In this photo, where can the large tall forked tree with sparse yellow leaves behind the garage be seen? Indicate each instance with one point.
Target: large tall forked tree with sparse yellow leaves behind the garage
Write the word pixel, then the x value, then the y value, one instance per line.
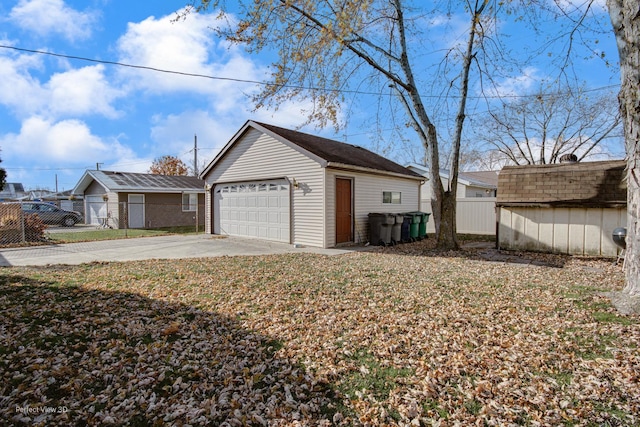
pixel 324 44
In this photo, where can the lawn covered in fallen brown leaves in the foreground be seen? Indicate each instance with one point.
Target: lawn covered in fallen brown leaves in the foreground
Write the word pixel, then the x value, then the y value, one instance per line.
pixel 395 336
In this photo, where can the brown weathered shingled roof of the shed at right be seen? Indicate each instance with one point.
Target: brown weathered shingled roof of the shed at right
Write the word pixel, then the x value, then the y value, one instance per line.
pixel 588 184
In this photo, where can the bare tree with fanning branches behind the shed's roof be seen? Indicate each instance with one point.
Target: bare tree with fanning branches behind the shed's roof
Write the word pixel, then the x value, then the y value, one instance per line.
pixel 541 128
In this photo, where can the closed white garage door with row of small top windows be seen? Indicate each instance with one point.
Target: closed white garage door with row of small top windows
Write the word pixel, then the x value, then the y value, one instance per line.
pixel 253 209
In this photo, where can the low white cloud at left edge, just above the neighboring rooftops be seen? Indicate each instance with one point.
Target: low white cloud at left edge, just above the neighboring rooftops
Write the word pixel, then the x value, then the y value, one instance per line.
pixel 43 142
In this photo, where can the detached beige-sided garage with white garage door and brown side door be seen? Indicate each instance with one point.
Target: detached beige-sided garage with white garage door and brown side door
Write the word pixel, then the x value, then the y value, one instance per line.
pixel 278 184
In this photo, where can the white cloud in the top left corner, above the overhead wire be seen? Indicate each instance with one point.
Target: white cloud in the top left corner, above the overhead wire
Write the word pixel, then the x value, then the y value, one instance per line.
pixel 46 17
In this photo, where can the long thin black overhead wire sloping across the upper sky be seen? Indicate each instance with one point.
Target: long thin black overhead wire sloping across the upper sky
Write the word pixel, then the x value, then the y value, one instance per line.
pixel 261 83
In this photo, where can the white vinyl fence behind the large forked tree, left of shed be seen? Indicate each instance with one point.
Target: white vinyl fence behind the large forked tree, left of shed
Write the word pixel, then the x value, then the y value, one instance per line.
pixel 474 215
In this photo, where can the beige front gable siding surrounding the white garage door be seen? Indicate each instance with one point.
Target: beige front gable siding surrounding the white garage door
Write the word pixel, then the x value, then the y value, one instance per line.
pixel 257 156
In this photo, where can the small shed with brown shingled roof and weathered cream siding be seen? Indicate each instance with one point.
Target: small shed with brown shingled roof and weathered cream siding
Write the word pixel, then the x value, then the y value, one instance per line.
pixel 569 208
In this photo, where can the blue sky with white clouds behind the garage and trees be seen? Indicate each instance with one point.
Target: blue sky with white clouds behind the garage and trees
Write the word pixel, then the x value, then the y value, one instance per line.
pixel 61 116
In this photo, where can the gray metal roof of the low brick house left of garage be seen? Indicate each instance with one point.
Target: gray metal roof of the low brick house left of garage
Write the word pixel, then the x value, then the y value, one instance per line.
pixel 139 182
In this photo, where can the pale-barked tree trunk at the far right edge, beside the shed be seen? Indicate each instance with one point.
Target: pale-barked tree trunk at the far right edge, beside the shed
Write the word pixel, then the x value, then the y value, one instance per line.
pixel 625 17
